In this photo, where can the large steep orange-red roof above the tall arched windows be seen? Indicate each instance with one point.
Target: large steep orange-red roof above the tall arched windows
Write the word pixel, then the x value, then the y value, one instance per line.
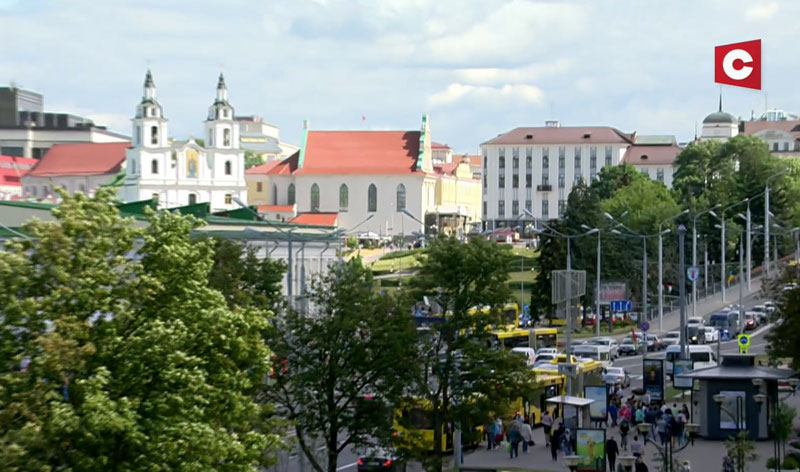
pixel 360 152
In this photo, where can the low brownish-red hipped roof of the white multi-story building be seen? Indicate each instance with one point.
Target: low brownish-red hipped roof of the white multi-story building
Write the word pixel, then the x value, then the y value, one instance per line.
pixel 563 135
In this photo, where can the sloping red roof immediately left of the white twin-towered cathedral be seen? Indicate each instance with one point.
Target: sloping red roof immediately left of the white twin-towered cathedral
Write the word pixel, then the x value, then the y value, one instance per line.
pixel 81 159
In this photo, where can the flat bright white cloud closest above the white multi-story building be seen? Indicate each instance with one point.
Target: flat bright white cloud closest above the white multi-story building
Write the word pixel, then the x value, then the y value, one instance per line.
pixel 520 94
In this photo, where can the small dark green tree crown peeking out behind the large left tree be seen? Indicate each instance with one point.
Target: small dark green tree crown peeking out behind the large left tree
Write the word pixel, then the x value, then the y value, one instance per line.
pixel 244 279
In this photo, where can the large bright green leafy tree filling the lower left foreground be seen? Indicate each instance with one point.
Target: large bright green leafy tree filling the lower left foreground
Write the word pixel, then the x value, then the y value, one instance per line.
pixel 118 356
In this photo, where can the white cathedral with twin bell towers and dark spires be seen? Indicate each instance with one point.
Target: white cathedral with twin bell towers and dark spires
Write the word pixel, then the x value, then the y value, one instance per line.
pixel 178 173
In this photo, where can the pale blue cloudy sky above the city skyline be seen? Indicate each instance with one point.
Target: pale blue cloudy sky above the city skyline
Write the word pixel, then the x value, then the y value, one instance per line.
pixel 479 68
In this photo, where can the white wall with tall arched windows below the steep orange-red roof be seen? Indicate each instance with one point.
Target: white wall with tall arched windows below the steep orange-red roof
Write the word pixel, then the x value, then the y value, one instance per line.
pixel 420 199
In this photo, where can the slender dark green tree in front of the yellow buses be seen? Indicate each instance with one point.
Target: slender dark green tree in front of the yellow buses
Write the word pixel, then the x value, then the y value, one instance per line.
pixel 463 378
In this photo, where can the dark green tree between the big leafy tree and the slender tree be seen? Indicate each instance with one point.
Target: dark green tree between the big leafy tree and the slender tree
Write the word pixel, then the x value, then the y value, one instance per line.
pixel 353 343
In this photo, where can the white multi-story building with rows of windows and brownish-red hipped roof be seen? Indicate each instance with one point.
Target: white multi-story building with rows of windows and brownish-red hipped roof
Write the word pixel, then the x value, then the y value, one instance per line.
pixel 534 169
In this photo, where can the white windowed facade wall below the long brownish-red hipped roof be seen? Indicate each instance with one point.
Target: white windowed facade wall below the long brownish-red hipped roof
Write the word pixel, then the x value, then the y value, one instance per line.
pixel 540 199
